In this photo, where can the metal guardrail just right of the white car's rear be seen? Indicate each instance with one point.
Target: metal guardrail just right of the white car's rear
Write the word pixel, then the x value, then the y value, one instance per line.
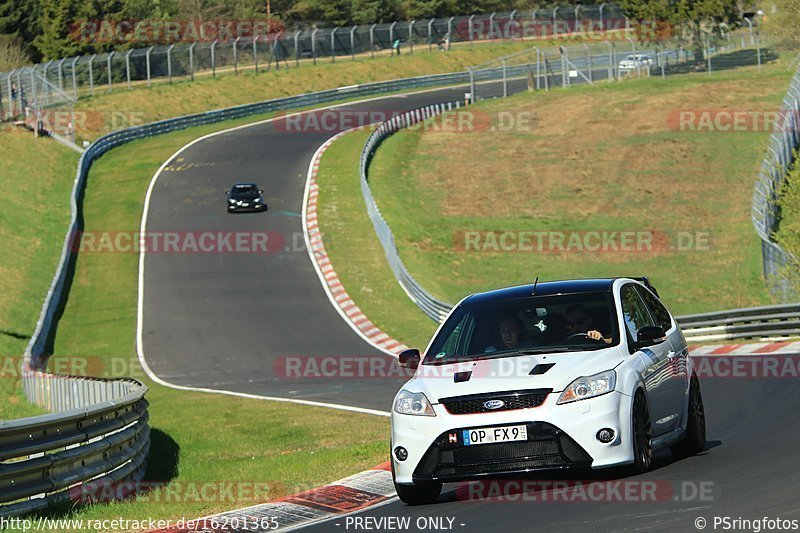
pixel 769 322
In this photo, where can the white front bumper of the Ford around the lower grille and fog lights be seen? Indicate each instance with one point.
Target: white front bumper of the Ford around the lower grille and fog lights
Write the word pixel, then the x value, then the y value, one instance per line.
pixel 560 437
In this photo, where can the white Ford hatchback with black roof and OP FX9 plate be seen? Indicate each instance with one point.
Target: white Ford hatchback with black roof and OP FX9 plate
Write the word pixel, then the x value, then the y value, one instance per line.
pixel 561 375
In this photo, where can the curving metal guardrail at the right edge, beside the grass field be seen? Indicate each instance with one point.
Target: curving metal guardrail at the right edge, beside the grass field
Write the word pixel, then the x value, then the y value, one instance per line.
pixel 778 160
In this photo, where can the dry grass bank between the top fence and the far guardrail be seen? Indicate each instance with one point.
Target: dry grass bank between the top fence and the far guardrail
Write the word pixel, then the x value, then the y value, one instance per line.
pixel 144 104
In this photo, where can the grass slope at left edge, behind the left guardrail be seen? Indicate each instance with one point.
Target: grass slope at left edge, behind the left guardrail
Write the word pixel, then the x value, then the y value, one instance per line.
pixel 36 182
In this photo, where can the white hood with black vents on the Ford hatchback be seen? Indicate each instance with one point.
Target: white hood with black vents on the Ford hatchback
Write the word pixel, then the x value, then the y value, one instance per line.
pixel 511 373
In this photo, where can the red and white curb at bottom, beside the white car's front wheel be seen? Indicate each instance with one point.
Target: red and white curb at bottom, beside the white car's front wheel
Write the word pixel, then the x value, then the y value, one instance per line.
pixel 339 498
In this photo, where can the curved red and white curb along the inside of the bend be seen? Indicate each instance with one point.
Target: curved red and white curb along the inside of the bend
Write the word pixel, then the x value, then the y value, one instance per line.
pixel 337 294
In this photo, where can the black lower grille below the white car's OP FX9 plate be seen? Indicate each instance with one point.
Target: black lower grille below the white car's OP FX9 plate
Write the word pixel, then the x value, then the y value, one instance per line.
pixel 547 447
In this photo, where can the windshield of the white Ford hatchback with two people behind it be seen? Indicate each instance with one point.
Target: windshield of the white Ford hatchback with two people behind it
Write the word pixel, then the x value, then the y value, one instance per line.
pixel 536 324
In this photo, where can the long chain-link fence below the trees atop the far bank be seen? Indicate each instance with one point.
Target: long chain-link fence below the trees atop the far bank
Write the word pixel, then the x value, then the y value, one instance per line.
pixel 87 75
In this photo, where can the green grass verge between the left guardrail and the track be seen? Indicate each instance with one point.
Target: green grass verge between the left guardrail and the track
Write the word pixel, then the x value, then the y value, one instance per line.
pixel 199 440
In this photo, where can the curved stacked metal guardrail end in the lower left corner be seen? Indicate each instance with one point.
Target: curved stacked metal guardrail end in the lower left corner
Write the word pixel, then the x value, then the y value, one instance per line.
pixel 98 436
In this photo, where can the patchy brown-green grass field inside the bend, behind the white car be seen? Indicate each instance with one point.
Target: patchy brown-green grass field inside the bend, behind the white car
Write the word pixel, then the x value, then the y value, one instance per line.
pixel 603 158
